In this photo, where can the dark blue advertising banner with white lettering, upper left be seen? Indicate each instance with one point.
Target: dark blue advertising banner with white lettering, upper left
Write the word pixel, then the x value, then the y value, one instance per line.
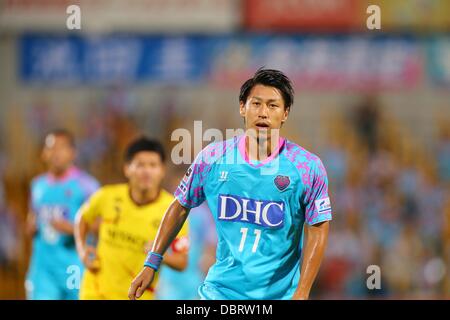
pixel 110 59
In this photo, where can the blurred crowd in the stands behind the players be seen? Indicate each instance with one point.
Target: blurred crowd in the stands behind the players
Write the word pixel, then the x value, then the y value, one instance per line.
pixel 390 195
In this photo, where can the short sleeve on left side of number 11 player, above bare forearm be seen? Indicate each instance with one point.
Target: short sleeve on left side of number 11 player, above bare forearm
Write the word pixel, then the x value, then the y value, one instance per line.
pixel 190 192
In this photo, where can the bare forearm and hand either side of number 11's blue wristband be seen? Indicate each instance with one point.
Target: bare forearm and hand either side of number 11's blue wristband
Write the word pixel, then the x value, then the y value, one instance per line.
pixel 169 228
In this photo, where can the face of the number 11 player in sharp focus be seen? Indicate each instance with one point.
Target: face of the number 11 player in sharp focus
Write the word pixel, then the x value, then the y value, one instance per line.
pixel 264 110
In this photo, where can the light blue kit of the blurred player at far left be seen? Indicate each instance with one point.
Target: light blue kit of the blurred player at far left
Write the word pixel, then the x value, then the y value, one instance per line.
pixel 54 257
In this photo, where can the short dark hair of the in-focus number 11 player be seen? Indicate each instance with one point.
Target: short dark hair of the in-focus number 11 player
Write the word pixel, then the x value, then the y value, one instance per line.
pixel 271 78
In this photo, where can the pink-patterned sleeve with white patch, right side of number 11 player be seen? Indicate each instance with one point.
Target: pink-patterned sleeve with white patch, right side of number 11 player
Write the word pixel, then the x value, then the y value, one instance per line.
pixel 317 200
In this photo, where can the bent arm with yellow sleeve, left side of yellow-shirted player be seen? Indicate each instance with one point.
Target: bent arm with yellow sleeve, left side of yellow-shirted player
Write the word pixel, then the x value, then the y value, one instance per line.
pixel 84 222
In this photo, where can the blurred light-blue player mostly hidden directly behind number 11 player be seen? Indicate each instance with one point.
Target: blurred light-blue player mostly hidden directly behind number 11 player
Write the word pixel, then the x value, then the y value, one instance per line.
pixel 202 254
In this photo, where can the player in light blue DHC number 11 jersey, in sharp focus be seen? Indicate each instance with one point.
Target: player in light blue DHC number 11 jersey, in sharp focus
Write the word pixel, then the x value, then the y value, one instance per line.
pixel 269 199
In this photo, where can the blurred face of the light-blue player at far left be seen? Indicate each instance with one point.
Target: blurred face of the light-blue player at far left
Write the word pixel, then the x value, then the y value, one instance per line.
pixel 58 153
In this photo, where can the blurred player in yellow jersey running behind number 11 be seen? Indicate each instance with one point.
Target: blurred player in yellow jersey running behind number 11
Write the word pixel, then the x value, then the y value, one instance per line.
pixel 128 216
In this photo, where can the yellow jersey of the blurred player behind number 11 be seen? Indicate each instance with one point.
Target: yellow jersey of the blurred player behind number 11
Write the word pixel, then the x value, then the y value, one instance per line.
pixel 125 232
